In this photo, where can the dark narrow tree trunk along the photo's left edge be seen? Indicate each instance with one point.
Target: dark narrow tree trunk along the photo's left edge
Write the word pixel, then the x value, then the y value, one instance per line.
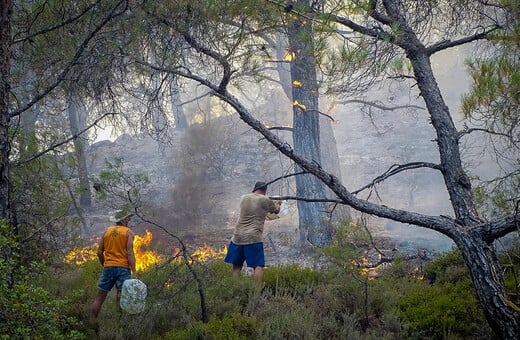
pixel 6 10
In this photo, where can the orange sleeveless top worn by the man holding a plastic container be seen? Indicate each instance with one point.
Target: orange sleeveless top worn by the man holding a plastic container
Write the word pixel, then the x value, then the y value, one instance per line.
pixel 114 246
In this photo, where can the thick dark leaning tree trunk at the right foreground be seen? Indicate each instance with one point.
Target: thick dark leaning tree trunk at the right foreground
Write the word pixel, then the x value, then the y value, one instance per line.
pixel 479 255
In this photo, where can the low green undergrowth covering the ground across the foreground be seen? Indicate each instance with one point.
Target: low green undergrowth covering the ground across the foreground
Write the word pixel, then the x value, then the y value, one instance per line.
pixel 203 301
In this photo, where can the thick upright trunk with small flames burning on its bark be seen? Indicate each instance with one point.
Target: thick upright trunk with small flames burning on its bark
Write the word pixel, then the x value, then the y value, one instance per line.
pixel 313 222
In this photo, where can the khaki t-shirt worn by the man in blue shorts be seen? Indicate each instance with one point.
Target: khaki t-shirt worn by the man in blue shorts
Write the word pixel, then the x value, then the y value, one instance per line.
pixel 250 225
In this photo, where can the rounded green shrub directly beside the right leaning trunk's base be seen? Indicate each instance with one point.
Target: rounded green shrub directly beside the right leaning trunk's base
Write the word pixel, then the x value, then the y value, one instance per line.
pixel 446 309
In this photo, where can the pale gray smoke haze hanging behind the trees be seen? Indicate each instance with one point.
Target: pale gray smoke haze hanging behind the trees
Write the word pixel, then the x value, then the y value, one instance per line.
pixel 369 142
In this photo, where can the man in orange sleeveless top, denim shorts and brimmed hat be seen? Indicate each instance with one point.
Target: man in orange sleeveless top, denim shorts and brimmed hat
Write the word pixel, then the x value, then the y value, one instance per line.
pixel 116 255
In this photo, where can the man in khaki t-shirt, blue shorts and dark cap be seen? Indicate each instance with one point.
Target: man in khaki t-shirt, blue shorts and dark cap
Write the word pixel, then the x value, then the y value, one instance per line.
pixel 246 243
